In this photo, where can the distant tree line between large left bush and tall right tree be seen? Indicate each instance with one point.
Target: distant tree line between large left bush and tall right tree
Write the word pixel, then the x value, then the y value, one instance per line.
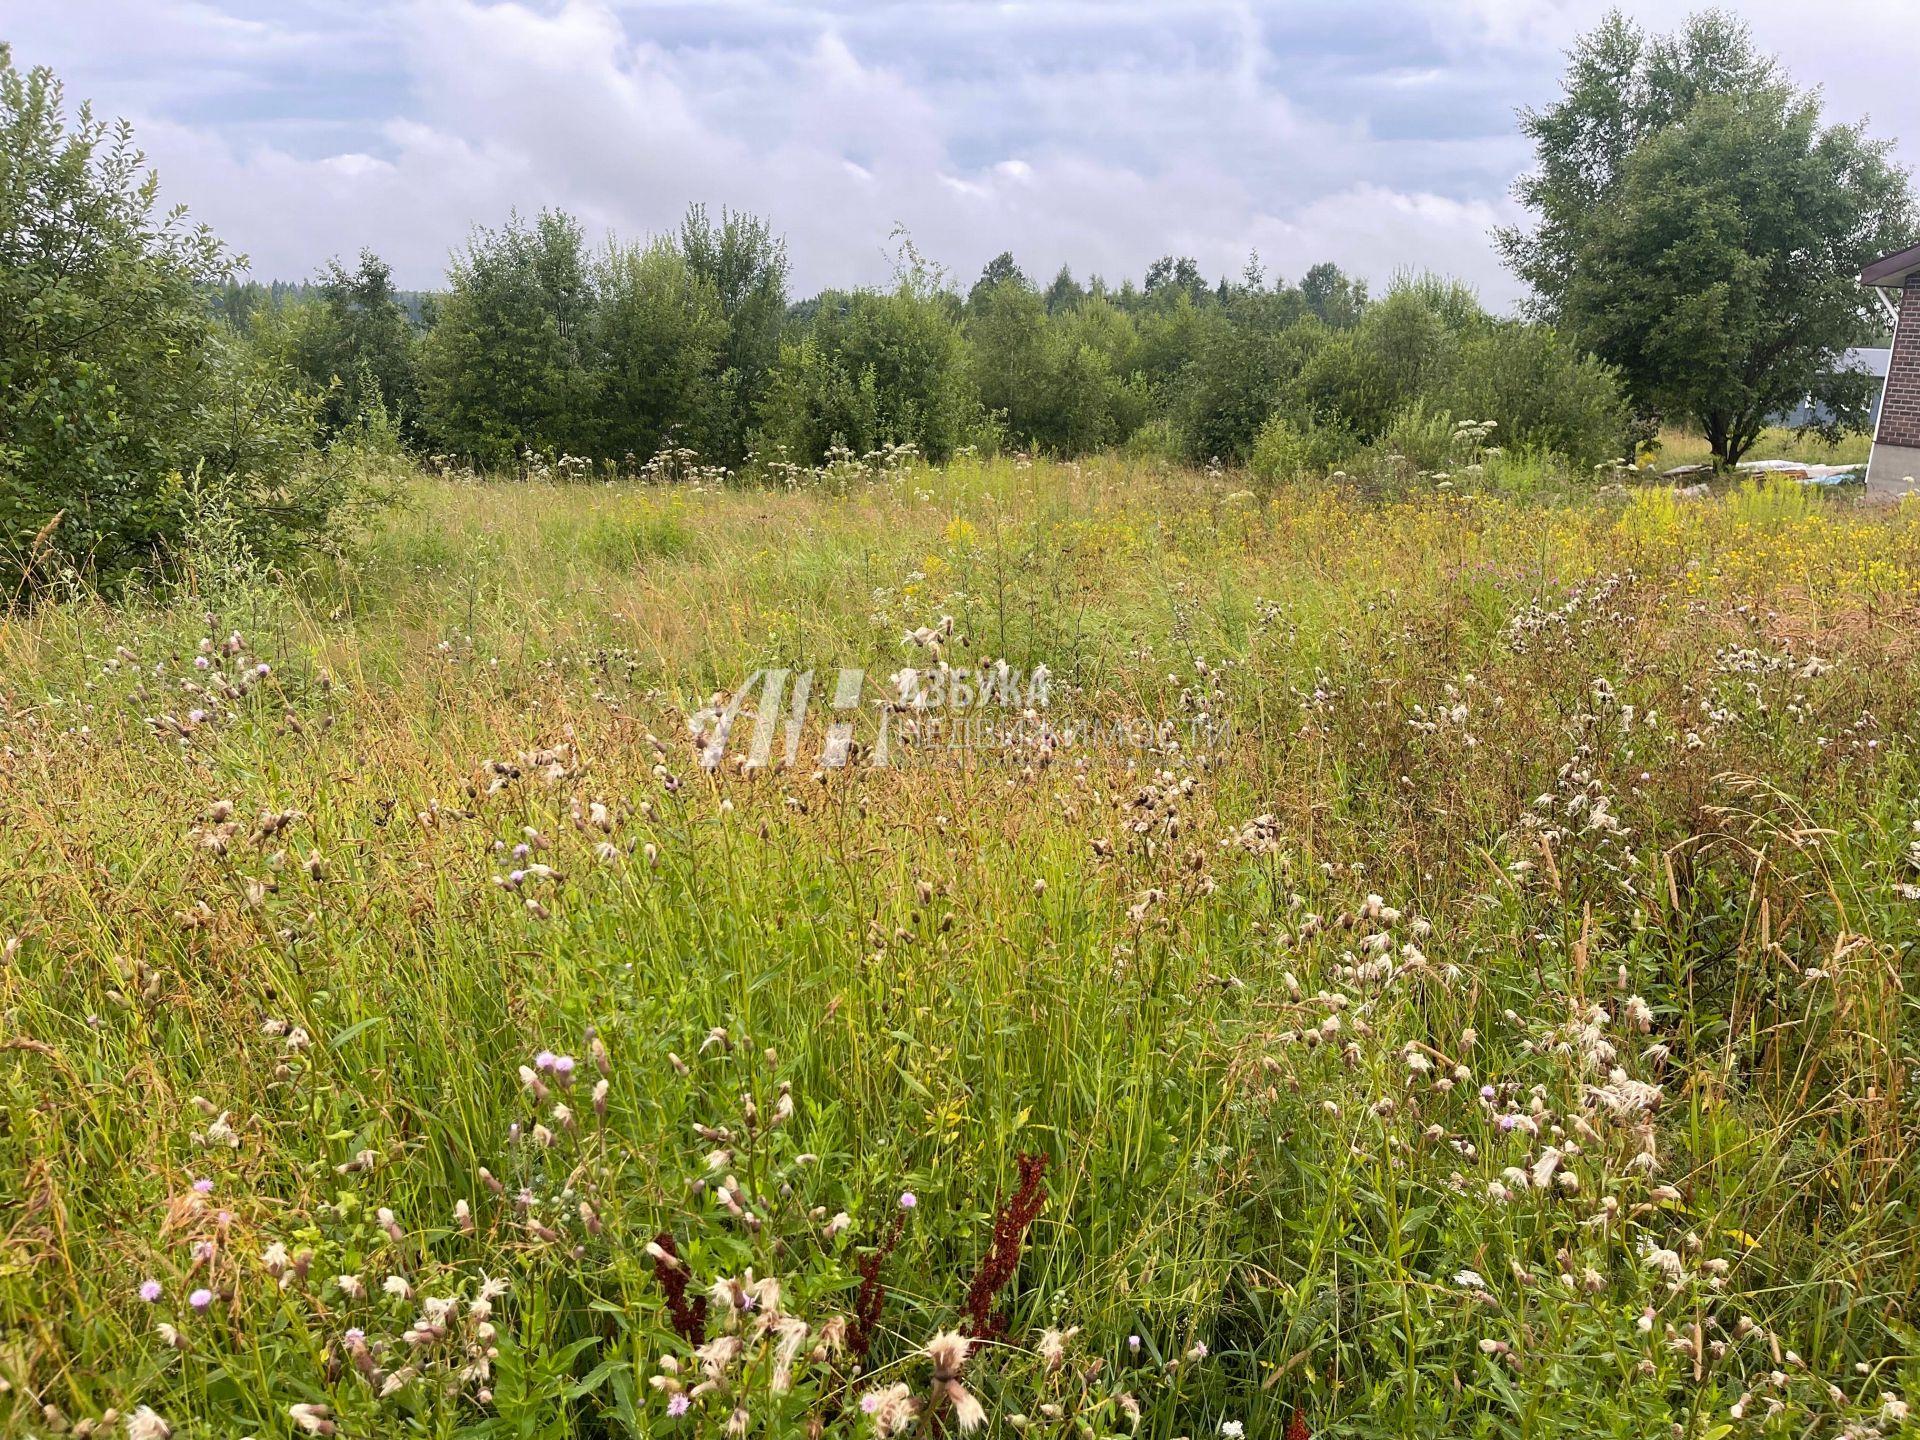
pixel 544 345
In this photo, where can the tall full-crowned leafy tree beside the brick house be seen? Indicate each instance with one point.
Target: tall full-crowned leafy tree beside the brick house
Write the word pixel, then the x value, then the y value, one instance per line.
pixel 1700 228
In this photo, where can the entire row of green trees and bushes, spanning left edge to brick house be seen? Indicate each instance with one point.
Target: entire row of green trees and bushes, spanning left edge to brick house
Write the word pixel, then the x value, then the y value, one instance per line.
pixel 1692 254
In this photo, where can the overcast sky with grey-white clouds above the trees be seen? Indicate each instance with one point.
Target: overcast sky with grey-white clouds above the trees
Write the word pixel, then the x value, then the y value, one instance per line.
pixel 1101 133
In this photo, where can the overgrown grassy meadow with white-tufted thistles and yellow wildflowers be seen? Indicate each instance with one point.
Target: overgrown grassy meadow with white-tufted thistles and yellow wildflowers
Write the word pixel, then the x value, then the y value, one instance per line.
pixel 1424 969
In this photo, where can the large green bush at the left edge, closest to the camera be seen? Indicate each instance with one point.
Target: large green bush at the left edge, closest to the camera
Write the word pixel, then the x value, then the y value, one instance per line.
pixel 124 406
